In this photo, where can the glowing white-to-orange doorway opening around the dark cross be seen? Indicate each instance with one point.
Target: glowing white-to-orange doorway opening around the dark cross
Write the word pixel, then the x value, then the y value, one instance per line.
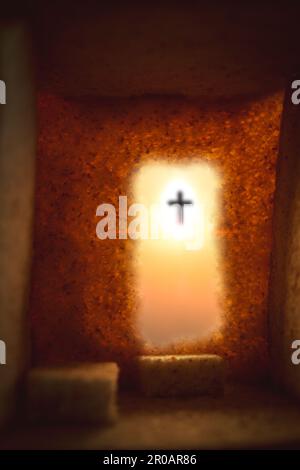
pixel 178 272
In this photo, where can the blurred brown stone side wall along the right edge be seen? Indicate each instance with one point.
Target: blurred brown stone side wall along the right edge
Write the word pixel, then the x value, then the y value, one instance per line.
pixel 284 296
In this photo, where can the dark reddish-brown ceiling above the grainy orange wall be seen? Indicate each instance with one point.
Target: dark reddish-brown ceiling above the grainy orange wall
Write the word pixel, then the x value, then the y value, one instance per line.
pixel 208 49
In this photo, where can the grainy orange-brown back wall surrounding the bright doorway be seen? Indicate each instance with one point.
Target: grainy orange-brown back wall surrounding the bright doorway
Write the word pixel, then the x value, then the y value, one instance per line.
pixel 83 299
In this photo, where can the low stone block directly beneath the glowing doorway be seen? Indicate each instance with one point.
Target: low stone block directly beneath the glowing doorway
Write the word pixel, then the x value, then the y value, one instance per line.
pixel 171 376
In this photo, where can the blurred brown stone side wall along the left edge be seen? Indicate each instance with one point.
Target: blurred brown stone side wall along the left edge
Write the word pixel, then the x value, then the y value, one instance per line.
pixel 17 170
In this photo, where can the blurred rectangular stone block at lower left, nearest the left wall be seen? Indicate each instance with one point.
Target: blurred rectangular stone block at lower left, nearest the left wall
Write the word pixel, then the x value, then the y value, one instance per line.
pixel 77 394
